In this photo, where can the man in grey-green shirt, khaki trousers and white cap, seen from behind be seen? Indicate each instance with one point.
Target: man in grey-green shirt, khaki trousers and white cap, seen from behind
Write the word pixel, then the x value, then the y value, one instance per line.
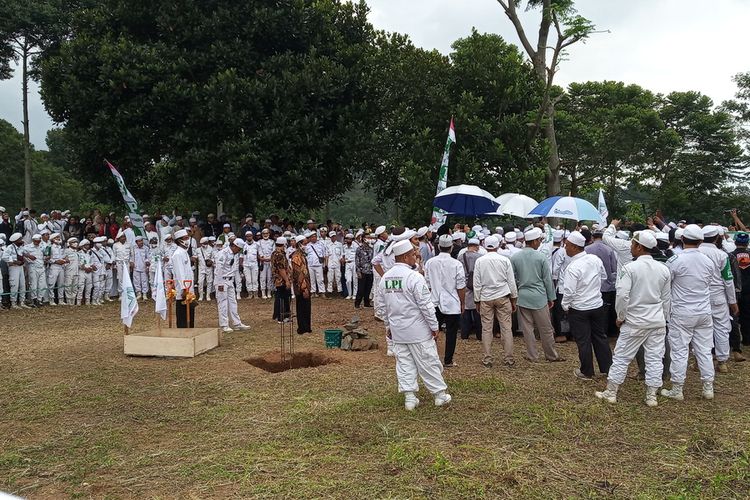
pixel 536 295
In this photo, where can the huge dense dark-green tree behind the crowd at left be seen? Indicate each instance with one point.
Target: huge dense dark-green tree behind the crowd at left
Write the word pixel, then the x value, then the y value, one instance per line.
pixel 249 101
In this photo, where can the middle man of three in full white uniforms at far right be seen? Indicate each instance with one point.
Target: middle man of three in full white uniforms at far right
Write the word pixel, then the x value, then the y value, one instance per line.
pixel 690 322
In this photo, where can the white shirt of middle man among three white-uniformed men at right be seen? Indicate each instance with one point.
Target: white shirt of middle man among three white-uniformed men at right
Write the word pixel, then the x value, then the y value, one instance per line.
pixel 691 278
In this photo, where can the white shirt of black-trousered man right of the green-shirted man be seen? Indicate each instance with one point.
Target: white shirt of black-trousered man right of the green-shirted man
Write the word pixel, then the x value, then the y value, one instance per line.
pixel 583 282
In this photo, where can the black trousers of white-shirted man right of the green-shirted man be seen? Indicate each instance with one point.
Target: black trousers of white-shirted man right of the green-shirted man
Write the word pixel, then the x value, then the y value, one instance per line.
pixel 588 329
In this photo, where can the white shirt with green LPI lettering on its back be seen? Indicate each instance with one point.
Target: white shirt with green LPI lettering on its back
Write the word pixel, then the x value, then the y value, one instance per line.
pixel 406 308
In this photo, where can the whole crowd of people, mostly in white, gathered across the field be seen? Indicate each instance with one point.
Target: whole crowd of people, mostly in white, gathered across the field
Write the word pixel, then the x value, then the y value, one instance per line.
pixel 661 289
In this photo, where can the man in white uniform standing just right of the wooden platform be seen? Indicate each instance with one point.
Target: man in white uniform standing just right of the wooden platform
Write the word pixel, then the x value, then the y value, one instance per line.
pixel 226 296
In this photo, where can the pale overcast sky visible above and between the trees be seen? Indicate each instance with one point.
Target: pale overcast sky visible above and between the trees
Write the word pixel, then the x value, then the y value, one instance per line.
pixel 662 45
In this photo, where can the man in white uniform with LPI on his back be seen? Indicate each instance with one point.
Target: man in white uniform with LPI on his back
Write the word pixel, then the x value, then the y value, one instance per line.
pixel 409 315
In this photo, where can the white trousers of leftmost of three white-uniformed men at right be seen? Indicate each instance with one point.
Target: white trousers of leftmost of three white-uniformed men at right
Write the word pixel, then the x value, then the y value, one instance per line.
pixel 628 343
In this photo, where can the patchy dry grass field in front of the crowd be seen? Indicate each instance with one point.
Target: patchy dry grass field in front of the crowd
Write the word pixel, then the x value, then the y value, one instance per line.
pixel 79 419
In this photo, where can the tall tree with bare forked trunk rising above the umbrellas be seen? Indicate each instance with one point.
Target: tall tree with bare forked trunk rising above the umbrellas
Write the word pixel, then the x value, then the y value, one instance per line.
pixel 561 23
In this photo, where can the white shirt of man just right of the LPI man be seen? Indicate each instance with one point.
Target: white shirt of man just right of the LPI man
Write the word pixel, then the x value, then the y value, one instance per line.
pixel 445 276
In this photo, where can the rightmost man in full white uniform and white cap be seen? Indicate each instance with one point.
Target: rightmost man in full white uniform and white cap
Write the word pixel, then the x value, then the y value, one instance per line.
pixel 723 296
